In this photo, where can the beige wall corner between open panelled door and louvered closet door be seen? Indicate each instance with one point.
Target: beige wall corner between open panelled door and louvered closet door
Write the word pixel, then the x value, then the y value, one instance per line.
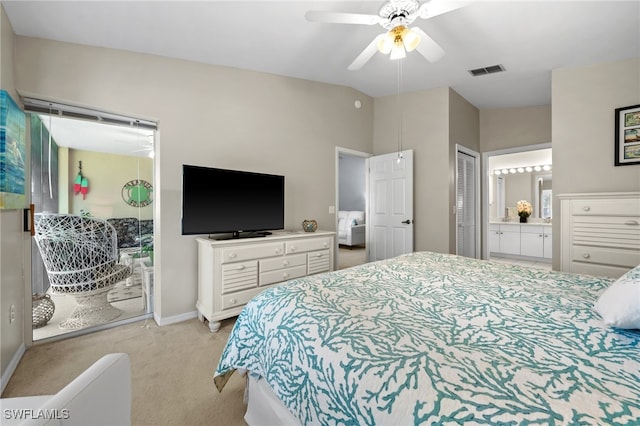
pixel 433 122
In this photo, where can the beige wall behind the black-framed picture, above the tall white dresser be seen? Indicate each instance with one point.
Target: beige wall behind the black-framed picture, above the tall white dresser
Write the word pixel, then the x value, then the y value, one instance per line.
pixel 584 100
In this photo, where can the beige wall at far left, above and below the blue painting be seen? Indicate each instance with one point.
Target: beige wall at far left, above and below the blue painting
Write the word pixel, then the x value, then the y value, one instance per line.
pixel 15 246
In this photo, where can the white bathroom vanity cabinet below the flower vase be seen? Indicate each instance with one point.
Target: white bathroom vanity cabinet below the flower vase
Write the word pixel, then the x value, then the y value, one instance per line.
pixel 527 240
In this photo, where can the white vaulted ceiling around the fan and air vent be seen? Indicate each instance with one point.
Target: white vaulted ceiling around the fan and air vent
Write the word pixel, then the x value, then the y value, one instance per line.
pixel 529 38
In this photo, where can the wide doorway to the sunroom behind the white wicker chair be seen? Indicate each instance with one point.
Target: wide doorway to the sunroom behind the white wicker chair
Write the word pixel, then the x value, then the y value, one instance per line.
pixel 99 166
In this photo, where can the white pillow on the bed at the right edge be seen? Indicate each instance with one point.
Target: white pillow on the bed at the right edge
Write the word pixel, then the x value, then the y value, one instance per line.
pixel 619 304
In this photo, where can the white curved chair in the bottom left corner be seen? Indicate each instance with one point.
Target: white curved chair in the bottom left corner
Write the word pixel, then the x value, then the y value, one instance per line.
pixel 101 395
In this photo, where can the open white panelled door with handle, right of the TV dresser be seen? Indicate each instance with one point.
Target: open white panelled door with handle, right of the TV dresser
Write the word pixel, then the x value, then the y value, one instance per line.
pixel 390 205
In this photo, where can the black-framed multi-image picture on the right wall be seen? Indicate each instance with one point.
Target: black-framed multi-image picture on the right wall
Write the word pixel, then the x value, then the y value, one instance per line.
pixel 627 142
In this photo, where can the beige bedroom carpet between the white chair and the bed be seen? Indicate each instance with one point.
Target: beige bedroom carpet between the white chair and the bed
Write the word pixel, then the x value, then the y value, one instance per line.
pixel 172 371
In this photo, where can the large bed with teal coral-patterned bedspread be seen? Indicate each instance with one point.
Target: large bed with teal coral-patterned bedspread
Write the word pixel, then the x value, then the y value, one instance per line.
pixel 436 338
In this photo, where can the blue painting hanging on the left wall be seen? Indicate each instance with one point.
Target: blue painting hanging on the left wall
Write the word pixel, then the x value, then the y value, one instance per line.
pixel 13 153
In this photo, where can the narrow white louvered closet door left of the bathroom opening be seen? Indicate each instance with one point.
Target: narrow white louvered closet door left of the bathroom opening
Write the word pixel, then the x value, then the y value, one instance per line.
pixel 467 205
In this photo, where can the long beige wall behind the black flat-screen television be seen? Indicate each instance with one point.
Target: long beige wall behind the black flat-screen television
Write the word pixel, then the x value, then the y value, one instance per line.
pixel 210 116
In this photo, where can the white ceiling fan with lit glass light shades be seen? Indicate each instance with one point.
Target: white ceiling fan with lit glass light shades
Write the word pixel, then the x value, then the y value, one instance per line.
pixel 395 16
